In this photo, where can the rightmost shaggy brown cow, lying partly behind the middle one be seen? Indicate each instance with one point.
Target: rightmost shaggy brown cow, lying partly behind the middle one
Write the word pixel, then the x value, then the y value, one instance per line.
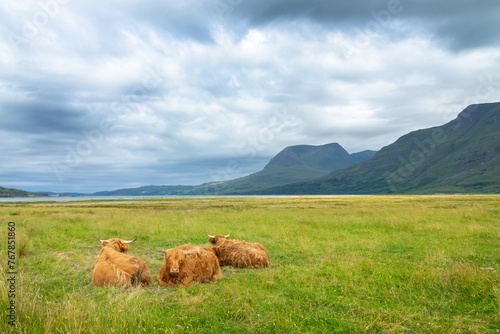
pixel 239 254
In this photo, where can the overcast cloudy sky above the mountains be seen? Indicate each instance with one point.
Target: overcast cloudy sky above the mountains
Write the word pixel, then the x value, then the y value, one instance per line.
pixel 116 94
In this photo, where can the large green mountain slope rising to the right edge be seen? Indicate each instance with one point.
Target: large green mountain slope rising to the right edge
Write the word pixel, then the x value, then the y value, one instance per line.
pixel 462 156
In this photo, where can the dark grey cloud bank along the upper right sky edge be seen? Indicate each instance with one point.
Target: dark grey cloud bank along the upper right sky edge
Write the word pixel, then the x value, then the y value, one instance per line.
pixel 463 24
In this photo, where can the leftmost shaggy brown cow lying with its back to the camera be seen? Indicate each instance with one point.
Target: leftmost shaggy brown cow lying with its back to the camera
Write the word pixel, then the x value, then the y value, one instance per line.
pixel 114 267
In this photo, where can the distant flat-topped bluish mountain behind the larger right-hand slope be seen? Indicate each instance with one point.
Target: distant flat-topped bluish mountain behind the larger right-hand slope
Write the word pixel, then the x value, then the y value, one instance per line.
pixel 292 164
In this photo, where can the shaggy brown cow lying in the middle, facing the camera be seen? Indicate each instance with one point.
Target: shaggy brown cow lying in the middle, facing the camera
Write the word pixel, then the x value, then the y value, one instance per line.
pixel 187 264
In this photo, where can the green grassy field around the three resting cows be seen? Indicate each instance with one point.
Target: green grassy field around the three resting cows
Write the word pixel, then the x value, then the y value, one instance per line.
pixel 388 264
